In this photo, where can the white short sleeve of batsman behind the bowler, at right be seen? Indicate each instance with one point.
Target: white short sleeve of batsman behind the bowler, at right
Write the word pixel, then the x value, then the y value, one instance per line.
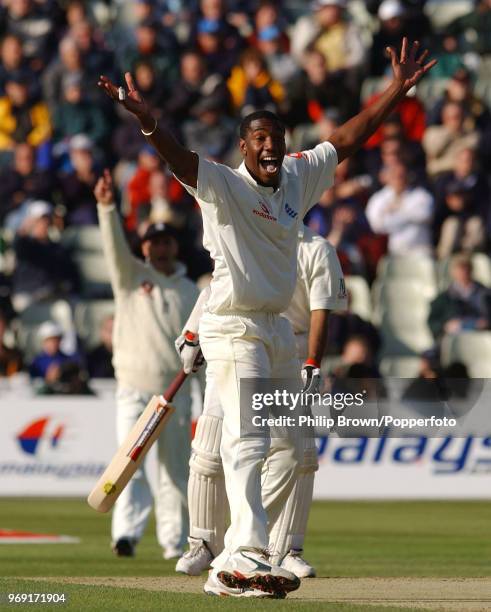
pixel 327 286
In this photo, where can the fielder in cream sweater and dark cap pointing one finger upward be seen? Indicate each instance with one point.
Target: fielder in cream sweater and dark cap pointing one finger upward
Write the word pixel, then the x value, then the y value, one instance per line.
pixel 153 300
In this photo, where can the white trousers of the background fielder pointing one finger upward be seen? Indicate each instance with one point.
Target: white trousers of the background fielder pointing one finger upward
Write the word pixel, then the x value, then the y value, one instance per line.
pixel 134 505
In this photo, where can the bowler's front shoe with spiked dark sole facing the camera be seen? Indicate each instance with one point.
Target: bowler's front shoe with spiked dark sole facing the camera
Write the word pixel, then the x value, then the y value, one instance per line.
pixel 250 569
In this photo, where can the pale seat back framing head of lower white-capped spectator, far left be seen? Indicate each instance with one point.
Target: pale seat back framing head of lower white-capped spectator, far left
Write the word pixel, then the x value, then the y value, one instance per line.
pixel 36 314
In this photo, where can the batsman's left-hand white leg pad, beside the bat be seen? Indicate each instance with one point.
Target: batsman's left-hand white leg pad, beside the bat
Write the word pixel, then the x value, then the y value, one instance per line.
pixel 208 505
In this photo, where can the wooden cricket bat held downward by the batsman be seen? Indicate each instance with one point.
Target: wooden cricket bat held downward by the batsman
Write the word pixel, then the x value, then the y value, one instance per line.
pixel 131 453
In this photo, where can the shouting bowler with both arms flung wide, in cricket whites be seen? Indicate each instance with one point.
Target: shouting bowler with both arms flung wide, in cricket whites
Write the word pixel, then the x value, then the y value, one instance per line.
pixel 251 219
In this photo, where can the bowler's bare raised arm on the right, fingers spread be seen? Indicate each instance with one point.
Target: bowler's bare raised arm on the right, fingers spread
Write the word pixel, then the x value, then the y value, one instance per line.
pixel 407 70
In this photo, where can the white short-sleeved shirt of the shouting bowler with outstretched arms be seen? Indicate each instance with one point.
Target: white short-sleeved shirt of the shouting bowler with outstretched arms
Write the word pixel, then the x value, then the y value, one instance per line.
pixel 251 231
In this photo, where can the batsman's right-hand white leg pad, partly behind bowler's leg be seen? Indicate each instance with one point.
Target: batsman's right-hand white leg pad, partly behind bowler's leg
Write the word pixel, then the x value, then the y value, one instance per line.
pixel 288 531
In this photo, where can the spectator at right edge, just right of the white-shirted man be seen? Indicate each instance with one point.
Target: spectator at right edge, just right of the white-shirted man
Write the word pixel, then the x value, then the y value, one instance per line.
pixel 463 228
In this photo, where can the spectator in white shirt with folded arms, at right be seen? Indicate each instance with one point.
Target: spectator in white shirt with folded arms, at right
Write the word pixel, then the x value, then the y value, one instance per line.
pixel 403 212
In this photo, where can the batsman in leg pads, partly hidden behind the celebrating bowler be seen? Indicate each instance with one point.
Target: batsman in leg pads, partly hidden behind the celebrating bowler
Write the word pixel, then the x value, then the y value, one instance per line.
pixel 320 288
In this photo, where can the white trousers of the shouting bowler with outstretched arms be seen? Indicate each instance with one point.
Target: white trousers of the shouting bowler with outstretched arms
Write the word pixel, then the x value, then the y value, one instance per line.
pixel 258 345
